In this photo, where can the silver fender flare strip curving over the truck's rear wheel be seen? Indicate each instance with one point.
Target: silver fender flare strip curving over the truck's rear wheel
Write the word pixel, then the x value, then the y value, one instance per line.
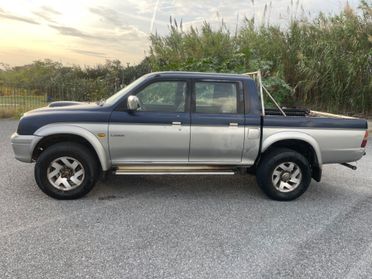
pixel 292 135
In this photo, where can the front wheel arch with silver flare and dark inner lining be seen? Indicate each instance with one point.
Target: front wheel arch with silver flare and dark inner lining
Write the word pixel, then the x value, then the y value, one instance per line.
pixel 51 134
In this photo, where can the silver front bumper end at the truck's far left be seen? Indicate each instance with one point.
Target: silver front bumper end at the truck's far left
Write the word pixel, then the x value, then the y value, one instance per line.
pixel 23 146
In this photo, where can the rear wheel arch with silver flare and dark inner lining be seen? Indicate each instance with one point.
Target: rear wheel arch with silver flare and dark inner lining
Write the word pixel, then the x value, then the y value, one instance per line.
pixel 299 142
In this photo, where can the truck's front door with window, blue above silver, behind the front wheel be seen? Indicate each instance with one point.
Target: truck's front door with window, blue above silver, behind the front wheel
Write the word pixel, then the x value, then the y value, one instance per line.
pixel 159 131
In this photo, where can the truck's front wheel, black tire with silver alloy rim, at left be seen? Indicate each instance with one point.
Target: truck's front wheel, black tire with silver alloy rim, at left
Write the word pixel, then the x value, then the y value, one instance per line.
pixel 72 170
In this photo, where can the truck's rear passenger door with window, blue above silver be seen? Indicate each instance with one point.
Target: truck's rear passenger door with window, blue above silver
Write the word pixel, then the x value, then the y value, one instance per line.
pixel 217 121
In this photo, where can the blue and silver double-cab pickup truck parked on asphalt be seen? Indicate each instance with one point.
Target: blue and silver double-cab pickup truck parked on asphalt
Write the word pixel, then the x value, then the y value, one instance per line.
pixel 183 123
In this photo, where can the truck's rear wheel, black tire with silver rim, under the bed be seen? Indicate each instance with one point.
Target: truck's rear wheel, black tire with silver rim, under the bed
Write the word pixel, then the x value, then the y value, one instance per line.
pixel 283 174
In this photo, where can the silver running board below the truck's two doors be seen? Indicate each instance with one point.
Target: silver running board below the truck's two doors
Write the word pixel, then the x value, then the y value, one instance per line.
pixel 173 170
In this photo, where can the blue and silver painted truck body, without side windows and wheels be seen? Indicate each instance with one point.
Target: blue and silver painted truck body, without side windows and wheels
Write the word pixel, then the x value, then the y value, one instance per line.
pixel 188 138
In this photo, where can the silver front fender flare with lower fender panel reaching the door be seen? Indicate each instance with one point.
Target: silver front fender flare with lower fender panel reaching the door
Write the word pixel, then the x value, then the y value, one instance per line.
pixel 85 131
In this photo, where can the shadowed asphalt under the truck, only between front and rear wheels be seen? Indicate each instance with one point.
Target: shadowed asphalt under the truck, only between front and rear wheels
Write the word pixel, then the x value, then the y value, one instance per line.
pixel 116 187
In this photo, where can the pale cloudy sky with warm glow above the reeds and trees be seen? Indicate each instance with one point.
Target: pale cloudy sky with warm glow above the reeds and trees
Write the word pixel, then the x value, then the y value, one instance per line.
pixel 87 32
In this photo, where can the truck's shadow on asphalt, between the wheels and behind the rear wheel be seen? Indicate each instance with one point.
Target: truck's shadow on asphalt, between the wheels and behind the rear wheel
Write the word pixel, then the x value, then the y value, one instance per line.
pixel 222 187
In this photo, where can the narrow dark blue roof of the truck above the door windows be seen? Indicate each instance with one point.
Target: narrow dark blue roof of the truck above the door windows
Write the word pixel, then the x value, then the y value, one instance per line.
pixel 199 75
